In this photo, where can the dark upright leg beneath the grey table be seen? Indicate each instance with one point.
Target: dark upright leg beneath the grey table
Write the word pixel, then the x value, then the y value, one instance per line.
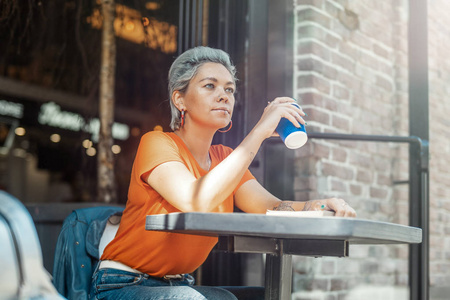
pixel 278 277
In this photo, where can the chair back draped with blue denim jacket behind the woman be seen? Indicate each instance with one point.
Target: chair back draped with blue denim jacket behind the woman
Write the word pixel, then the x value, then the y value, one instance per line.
pixel 83 237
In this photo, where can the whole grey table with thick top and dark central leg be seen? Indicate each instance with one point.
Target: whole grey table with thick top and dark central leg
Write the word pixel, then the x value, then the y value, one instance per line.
pixel 282 237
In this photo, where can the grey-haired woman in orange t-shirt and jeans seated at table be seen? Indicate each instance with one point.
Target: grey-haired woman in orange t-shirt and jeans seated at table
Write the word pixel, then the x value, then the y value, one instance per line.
pixel 181 171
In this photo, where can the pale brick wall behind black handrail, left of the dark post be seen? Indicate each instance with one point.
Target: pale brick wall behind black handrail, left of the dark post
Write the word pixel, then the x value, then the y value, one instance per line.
pixel 351 76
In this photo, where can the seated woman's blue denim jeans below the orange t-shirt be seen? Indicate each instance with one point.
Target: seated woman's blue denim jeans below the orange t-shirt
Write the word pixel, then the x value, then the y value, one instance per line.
pixel 118 284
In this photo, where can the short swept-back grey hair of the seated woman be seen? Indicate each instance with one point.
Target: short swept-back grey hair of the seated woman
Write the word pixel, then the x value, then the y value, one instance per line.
pixel 186 66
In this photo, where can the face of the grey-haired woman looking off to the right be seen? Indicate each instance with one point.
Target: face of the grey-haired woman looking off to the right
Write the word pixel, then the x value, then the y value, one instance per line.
pixel 209 98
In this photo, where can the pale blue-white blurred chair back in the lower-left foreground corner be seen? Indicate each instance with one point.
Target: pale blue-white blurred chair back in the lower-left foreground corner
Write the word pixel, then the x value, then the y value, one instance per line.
pixel 23 275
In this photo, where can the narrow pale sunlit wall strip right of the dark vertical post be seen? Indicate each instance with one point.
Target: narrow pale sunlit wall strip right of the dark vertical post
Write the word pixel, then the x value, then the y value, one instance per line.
pixel 439 78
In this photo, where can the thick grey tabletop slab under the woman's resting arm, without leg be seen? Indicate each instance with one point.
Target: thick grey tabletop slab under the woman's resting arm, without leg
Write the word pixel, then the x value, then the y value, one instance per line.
pixel 355 229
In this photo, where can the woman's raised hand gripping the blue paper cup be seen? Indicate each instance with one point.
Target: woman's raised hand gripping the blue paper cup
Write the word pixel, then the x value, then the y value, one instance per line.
pixel 279 108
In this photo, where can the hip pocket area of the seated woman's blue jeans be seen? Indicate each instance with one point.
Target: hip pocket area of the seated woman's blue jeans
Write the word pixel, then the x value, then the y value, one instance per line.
pixel 109 280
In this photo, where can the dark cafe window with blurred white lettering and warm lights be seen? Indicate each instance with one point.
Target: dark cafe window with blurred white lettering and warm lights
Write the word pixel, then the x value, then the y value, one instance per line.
pixel 49 83
